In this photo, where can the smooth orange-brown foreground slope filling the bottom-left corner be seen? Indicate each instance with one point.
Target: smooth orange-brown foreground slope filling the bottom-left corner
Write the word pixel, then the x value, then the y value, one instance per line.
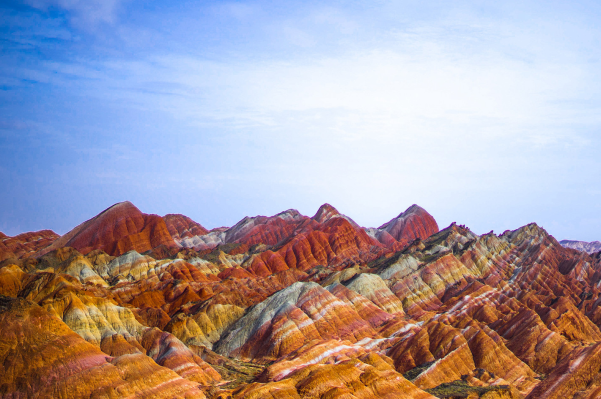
pixel 41 357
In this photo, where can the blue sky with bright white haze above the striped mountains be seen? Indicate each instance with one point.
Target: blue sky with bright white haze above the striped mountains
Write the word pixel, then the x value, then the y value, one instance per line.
pixel 484 113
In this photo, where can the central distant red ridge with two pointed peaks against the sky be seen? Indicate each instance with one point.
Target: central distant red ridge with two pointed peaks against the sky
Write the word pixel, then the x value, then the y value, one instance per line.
pixel 329 237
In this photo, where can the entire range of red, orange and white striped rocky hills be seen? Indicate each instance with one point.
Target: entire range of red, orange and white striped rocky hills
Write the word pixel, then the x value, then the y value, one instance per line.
pixel 136 305
